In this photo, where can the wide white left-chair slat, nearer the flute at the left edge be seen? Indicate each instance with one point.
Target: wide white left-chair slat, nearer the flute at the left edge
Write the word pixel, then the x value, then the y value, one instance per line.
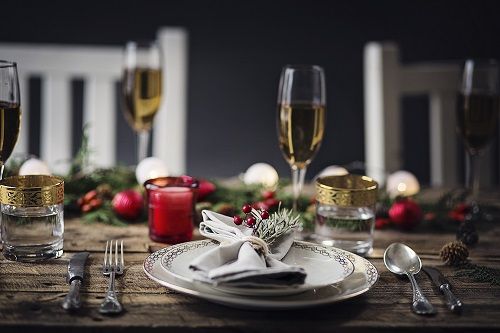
pixel 56 122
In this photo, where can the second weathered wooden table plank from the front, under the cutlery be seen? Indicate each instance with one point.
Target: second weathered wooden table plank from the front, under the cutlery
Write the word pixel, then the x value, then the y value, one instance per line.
pixel 51 277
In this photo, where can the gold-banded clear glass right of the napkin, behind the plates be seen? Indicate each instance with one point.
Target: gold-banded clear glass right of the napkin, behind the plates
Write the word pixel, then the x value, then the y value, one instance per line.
pixel 345 212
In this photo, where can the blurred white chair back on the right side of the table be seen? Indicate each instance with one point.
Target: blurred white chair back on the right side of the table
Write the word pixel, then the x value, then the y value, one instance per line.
pixel 385 81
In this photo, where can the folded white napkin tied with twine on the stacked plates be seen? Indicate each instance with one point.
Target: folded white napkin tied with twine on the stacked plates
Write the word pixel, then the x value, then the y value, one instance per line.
pixel 236 263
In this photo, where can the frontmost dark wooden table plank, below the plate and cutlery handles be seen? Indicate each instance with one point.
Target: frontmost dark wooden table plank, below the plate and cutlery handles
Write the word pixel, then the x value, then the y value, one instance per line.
pixel 181 313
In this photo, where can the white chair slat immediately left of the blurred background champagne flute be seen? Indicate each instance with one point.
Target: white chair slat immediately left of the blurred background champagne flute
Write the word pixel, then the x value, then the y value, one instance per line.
pixel 99 114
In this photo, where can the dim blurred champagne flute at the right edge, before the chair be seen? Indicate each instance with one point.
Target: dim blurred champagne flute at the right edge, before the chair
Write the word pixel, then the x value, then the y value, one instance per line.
pixel 477 114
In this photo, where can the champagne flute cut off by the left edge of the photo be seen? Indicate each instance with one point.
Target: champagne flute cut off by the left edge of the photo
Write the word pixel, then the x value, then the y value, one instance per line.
pixel 10 110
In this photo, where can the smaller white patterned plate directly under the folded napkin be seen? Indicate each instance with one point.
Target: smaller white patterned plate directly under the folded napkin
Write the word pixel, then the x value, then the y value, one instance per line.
pixel 323 267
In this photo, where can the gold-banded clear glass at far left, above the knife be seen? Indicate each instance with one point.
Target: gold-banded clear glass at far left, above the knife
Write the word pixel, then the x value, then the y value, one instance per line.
pixel 32 217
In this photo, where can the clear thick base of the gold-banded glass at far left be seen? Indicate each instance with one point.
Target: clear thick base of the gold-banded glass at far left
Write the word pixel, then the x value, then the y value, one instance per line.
pixel 33 253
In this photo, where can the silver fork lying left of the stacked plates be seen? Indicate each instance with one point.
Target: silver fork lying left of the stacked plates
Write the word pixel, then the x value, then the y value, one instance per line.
pixel 111 305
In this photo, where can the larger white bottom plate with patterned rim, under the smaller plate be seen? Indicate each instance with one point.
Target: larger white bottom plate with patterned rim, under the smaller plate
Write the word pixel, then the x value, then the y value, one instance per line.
pixel 361 280
